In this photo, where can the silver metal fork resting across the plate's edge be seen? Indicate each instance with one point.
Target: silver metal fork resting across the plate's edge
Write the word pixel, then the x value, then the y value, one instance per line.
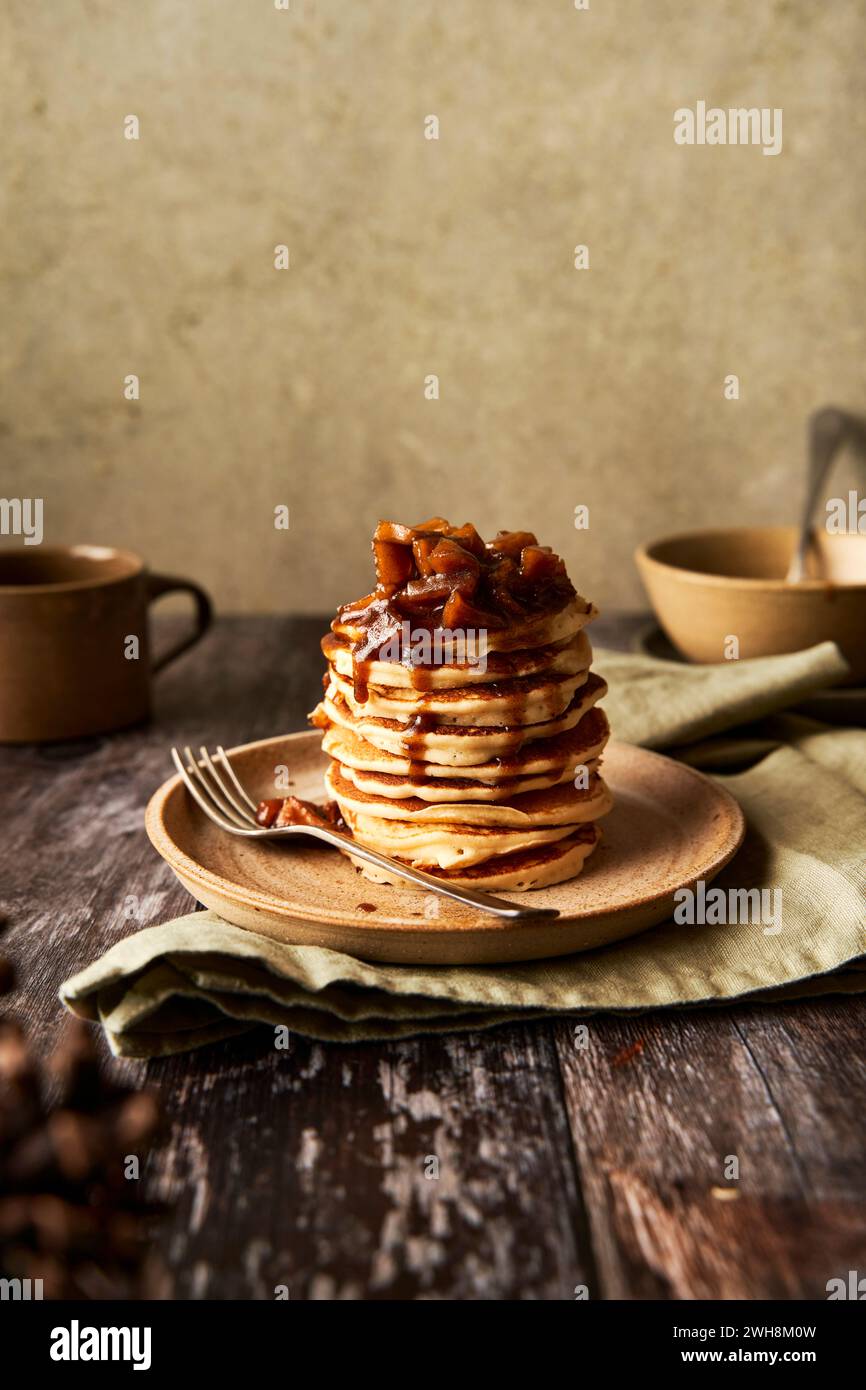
pixel 227 804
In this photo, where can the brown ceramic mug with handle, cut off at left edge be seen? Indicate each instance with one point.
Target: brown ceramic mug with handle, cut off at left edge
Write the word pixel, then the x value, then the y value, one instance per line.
pixel 74 643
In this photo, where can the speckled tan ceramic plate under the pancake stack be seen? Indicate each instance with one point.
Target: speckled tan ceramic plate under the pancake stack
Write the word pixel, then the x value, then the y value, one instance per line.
pixel 671 826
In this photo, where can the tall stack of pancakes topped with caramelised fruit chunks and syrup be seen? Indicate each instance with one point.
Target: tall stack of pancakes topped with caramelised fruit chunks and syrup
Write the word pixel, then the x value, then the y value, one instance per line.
pixel 482 768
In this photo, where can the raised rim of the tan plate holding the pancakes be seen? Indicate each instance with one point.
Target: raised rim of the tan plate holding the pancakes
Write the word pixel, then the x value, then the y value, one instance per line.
pixel 191 869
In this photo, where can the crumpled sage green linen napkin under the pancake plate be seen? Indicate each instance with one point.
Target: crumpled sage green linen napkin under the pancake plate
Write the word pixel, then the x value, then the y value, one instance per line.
pixel 803 787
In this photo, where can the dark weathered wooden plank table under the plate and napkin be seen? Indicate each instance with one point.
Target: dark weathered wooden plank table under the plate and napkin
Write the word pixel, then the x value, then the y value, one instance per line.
pixel 559 1167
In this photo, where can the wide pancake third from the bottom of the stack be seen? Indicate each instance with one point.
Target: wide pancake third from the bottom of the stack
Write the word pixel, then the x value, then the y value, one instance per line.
pixel 561 806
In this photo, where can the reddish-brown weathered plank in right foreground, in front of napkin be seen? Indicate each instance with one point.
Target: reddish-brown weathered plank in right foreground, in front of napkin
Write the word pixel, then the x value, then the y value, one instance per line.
pixel 661 1104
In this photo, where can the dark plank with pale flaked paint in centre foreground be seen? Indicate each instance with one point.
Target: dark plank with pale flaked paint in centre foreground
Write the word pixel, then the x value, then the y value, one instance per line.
pixel 309 1170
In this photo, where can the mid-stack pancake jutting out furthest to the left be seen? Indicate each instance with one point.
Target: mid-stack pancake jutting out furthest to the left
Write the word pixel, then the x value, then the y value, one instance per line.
pixel 459 746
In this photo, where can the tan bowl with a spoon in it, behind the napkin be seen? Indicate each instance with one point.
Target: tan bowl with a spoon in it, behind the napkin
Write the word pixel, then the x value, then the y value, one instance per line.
pixel 711 586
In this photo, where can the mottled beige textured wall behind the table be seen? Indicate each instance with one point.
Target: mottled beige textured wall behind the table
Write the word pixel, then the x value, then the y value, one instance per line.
pixel 411 256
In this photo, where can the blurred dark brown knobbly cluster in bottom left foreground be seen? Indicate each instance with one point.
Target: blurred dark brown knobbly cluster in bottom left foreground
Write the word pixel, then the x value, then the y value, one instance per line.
pixel 69 1214
